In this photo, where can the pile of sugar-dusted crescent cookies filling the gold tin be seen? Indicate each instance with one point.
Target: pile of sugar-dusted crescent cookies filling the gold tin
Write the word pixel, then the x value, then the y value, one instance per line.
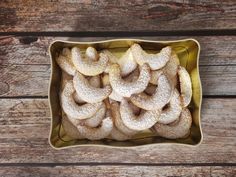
pixel 103 96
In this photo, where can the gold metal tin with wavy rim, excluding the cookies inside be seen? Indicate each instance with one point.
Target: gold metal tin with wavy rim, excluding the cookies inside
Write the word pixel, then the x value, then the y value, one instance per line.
pixel 188 53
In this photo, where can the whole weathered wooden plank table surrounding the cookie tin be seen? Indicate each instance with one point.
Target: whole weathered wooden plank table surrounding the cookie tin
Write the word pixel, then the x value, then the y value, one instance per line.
pixel 27 28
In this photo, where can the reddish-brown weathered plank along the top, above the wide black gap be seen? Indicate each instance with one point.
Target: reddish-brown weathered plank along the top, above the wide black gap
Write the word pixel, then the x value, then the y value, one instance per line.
pixel 161 15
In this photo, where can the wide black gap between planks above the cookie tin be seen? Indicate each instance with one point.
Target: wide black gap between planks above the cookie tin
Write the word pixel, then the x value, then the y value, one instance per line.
pixel 215 32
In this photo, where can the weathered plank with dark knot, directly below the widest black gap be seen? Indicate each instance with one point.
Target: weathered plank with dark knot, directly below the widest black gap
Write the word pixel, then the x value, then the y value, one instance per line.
pixel 215 50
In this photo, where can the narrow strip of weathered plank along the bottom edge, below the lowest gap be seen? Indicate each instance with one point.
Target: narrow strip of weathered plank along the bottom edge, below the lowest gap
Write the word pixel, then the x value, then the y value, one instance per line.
pixel 122 171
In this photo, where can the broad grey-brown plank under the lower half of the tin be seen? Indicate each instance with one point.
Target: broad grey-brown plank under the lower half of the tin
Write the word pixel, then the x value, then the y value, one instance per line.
pixel 25 124
